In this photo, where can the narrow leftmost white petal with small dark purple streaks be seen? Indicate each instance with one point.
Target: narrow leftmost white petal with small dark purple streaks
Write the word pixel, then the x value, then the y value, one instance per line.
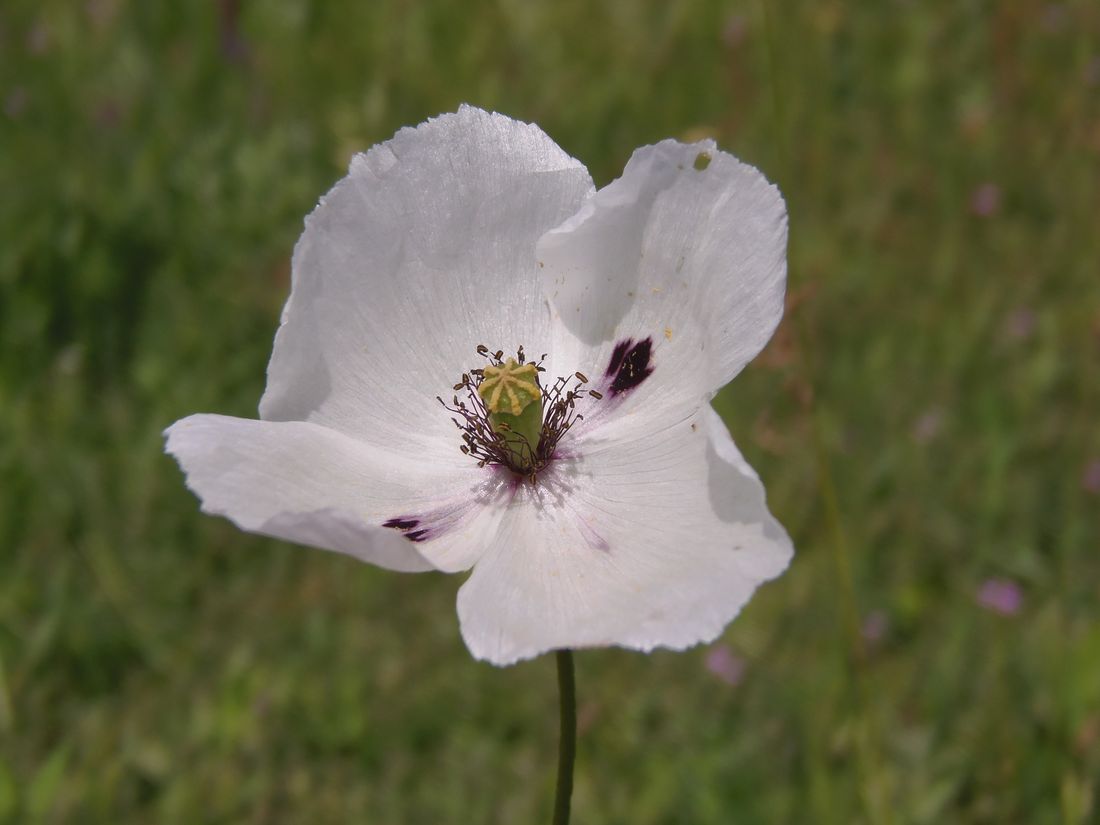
pixel 313 486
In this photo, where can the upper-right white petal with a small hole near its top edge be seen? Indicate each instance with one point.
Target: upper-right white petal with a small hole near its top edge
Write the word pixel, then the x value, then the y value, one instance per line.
pixel 692 260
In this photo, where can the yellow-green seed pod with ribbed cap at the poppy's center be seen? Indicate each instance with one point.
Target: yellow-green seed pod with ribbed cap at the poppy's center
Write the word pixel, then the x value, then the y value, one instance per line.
pixel 514 401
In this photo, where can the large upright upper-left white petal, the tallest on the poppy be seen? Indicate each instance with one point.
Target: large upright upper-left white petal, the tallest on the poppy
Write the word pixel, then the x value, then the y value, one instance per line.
pixel 423 252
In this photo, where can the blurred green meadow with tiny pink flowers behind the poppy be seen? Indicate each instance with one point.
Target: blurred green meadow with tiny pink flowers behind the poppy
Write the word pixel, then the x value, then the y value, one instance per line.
pixel 926 420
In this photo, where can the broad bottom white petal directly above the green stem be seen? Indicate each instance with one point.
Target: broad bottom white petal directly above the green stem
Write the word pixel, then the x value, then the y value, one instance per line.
pixel 642 544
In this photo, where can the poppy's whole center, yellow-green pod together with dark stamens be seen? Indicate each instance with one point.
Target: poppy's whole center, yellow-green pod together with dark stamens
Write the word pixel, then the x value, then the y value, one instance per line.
pixel 510 419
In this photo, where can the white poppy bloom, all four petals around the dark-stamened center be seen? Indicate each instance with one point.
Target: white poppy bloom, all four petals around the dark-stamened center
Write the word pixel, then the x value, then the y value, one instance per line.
pixel 646 527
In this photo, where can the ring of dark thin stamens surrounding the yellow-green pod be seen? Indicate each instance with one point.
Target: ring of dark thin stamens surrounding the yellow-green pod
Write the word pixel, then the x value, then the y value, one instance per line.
pixel 490 442
